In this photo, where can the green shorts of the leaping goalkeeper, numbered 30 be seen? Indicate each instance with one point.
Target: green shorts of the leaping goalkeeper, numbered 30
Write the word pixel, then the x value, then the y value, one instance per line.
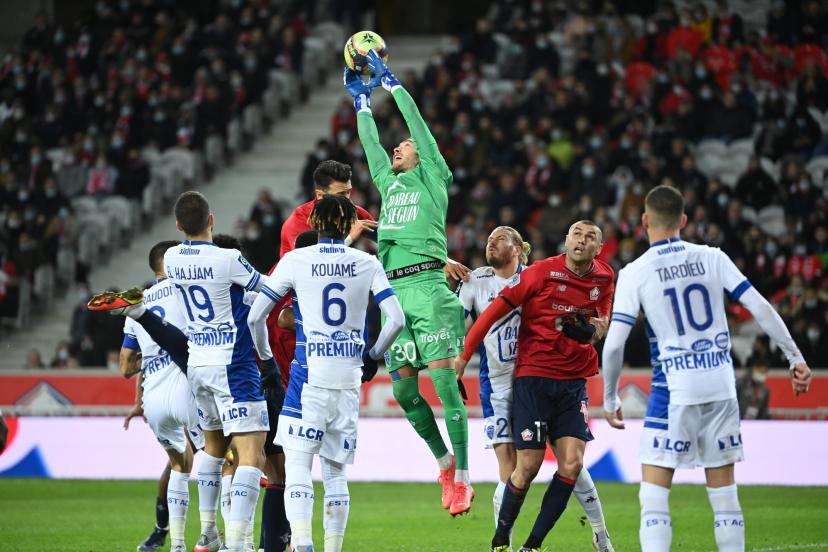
pixel 434 325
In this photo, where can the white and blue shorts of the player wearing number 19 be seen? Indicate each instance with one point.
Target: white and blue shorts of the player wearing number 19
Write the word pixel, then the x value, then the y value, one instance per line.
pixel 229 398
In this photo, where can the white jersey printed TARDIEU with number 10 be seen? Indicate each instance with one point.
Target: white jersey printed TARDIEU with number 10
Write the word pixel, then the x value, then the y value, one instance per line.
pixel 681 286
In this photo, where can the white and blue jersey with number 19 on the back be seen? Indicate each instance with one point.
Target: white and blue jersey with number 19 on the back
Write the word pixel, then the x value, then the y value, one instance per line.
pixel 212 283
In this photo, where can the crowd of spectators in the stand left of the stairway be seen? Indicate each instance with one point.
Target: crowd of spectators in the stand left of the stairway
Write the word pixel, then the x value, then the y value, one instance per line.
pixel 92 111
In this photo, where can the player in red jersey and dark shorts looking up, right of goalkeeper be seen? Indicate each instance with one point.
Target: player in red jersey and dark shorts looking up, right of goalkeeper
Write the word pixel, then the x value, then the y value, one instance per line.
pixel 566 301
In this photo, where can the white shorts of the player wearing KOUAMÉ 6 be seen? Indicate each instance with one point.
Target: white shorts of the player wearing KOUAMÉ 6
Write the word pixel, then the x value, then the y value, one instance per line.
pixel 325 424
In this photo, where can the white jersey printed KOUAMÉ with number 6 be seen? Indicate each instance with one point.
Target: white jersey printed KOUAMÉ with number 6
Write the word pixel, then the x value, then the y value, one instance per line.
pixel 331 284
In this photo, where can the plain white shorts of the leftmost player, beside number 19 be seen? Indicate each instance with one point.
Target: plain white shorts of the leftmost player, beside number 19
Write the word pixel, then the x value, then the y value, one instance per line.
pixel 171 413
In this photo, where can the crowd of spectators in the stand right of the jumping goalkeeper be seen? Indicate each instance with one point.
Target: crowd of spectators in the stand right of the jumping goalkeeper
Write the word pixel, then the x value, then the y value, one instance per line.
pixel 548 115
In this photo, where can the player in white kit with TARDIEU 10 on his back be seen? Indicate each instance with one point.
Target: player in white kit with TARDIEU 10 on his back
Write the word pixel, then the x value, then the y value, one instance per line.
pixel 693 418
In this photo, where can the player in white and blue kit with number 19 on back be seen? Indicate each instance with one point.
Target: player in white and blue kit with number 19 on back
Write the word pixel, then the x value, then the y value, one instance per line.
pixel 222 368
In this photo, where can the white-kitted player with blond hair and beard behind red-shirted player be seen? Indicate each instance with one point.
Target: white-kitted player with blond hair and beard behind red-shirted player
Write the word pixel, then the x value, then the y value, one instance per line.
pixel 507 254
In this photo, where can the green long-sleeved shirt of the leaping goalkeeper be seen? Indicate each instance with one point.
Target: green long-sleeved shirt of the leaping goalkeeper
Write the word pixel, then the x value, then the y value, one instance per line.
pixel 412 221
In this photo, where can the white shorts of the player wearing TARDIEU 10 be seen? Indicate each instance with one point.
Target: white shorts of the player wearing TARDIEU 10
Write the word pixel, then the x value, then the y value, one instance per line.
pixel 698 435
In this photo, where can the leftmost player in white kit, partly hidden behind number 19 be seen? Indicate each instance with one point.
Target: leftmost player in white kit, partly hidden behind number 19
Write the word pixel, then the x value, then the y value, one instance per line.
pixel 164 393
